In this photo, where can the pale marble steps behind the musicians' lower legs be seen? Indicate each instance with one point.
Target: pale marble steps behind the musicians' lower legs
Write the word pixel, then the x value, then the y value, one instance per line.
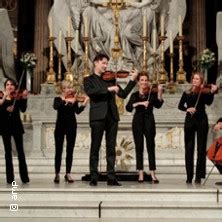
pixel 43 167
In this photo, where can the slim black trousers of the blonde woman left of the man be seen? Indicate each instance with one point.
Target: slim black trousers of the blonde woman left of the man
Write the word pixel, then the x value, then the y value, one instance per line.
pixel 59 140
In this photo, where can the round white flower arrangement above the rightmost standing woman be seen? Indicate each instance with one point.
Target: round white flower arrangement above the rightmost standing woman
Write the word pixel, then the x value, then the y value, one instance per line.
pixel 207 59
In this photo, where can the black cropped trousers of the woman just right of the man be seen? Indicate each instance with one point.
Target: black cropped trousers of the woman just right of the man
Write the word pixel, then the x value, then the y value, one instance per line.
pixel 144 126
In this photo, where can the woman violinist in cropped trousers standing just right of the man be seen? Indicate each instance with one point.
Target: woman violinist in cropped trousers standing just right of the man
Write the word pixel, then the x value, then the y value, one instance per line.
pixel 143 101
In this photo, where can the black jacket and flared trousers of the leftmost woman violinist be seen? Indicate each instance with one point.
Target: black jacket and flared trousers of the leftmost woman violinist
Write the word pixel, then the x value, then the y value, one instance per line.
pixel 11 125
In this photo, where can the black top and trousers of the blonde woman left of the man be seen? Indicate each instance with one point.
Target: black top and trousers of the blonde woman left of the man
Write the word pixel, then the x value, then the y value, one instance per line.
pixel 65 125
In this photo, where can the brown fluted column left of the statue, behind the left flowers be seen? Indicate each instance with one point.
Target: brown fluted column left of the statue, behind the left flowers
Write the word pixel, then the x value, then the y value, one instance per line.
pixel 41 42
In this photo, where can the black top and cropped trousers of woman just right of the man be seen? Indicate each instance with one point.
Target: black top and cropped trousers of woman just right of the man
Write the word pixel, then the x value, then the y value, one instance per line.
pixel 144 125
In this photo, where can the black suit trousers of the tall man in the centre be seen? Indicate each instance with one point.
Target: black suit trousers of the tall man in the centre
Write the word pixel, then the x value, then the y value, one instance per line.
pixel 110 126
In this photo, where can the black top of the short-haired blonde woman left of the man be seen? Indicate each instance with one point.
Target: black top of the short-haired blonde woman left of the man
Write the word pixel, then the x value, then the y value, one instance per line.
pixel 66 113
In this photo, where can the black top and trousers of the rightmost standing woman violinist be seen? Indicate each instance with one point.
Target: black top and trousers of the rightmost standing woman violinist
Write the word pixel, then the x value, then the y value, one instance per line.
pixel 196 123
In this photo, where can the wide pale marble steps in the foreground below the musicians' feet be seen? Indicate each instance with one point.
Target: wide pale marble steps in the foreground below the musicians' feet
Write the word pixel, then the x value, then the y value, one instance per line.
pixel 169 199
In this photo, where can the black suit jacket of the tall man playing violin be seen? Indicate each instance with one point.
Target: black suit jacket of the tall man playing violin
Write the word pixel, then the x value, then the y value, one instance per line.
pixel 101 100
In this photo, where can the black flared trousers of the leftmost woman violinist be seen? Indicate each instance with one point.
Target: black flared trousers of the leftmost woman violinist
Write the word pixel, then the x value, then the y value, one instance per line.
pixel 21 157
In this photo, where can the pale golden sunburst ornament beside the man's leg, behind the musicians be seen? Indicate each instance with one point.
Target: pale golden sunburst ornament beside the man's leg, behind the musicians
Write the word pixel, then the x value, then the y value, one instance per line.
pixel 123 155
